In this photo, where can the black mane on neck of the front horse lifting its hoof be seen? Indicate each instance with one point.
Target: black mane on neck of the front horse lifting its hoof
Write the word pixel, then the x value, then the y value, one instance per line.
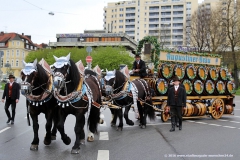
pixel 74 76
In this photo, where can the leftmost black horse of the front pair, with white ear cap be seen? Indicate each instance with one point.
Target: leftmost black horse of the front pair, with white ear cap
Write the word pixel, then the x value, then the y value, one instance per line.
pixel 36 87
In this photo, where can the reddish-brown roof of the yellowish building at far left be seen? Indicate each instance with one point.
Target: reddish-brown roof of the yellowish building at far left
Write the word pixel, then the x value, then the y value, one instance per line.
pixel 5 37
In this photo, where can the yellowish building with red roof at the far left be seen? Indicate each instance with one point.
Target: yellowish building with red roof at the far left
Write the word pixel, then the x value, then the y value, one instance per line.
pixel 15 48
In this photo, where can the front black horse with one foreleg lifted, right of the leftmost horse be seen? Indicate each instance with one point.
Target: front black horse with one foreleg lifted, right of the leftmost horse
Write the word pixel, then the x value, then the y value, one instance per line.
pixel 74 94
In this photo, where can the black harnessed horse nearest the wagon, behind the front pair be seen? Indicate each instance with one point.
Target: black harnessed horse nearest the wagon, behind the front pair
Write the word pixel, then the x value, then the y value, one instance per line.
pixel 125 94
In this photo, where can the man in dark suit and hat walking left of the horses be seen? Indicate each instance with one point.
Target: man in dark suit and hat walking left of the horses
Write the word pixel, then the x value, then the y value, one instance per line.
pixel 11 93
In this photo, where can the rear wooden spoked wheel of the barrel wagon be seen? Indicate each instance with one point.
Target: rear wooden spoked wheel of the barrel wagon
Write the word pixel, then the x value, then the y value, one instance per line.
pixel 217 108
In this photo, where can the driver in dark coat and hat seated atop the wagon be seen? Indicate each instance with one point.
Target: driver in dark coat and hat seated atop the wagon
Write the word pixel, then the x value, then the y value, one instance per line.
pixel 139 67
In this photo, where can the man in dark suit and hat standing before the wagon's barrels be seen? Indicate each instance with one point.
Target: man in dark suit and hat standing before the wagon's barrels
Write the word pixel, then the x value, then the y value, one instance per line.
pixel 176 100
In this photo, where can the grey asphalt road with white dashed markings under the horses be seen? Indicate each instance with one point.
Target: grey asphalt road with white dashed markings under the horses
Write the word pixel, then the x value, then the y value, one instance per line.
pixel 203 138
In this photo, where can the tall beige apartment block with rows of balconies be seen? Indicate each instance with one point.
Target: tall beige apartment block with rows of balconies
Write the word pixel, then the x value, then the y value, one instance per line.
pixel 164 19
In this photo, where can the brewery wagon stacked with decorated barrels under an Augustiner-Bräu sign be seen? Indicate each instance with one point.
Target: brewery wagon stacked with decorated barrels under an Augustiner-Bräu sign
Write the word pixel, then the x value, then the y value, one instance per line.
pixel 209 87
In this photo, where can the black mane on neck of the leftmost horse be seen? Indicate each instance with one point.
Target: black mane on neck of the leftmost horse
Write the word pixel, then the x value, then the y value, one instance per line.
pixel 40 79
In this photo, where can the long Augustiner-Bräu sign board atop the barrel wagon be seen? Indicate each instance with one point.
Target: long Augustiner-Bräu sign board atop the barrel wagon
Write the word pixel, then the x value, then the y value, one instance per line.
pixel 186 58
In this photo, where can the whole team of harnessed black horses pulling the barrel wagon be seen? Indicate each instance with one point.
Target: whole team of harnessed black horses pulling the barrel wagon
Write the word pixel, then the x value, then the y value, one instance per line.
pixel 67 88
